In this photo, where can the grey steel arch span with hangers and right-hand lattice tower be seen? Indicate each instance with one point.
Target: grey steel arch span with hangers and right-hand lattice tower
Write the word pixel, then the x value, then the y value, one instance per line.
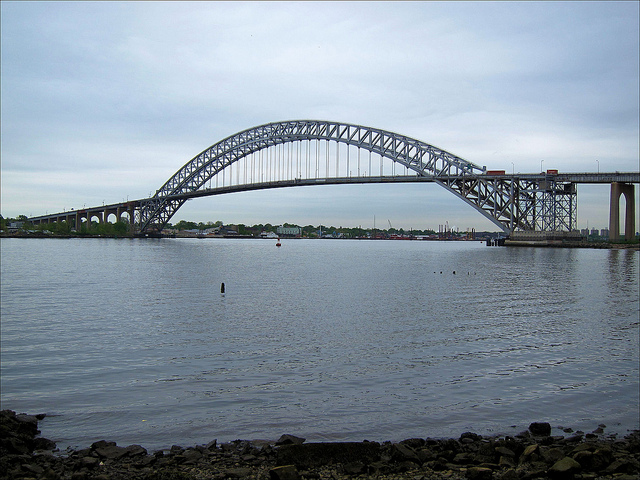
pixel 509 203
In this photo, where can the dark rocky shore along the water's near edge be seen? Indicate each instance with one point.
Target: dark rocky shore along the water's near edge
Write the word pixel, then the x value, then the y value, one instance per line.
pixel 533 454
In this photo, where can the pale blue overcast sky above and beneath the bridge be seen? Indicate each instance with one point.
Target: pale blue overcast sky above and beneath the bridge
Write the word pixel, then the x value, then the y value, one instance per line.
pixel 104 101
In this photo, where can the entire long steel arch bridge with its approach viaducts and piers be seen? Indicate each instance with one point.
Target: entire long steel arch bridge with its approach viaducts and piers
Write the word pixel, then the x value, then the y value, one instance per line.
pixel 312 152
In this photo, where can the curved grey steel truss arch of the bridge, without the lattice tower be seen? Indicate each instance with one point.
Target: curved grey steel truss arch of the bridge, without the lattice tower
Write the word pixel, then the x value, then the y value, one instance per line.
pixel 423 159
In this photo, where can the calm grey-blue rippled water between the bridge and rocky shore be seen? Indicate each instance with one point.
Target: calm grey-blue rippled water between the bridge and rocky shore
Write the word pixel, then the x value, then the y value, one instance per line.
pixel 132 341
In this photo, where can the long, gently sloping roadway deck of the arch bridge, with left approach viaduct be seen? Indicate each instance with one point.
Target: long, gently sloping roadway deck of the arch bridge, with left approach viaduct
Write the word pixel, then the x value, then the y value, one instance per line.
pixel 130 207
